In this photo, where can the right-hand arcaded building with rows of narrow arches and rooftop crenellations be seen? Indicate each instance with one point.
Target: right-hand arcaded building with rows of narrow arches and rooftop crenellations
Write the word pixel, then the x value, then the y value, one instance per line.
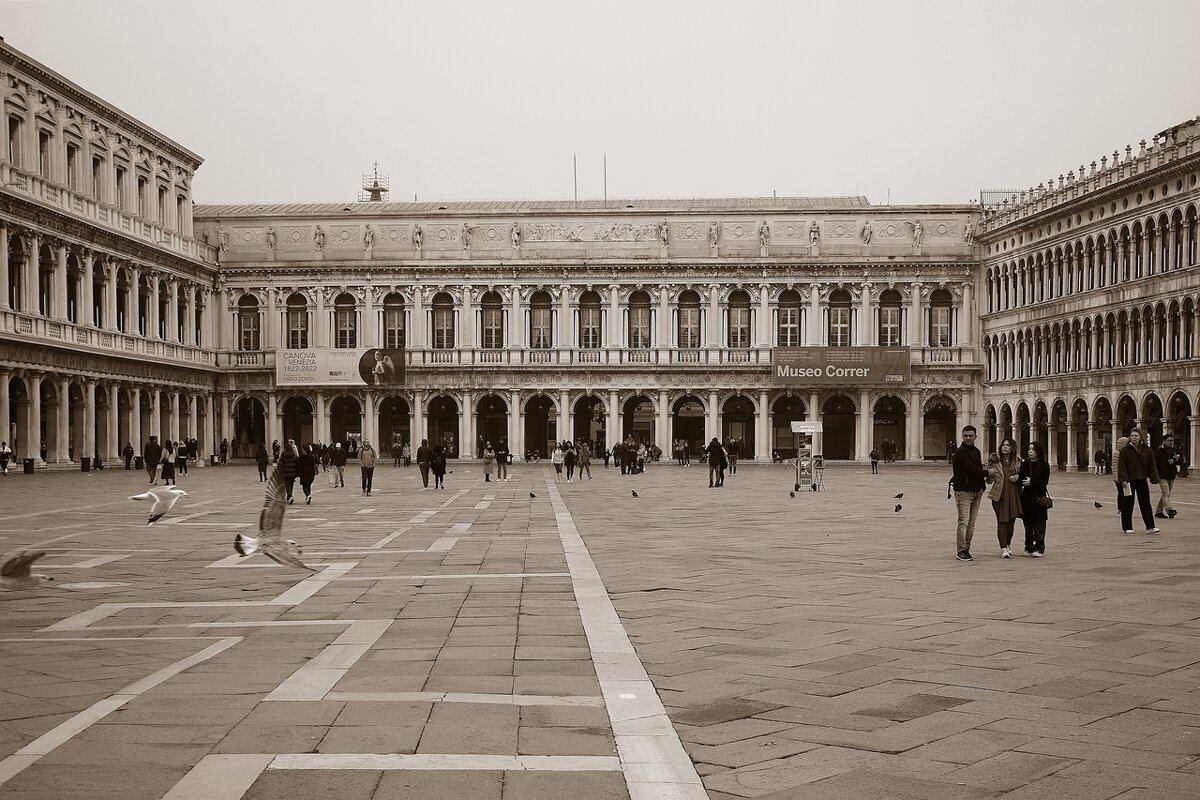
pixel 1090 296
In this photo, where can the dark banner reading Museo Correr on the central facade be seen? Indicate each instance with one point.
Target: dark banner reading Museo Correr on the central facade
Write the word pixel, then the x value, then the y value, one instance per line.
pixel 812 366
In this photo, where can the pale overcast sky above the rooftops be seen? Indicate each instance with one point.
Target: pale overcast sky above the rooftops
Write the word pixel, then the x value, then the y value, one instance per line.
pixel 293 101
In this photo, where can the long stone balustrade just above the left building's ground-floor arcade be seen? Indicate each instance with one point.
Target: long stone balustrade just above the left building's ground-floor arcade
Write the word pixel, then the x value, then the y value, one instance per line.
pixel 89 340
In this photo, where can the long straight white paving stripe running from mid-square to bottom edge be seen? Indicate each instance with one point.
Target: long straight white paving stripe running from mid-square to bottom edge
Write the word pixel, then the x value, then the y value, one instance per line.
pixel 652 756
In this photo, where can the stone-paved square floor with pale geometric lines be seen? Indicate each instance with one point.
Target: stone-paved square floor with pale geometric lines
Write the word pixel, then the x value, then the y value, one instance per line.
pixel 824 647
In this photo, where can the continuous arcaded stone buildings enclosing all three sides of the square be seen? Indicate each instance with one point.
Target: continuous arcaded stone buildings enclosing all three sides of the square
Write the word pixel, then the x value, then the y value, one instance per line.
pixel 1066 314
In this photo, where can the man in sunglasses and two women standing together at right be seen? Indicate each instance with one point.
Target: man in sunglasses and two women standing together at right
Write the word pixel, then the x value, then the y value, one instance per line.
pixel 1017 488
